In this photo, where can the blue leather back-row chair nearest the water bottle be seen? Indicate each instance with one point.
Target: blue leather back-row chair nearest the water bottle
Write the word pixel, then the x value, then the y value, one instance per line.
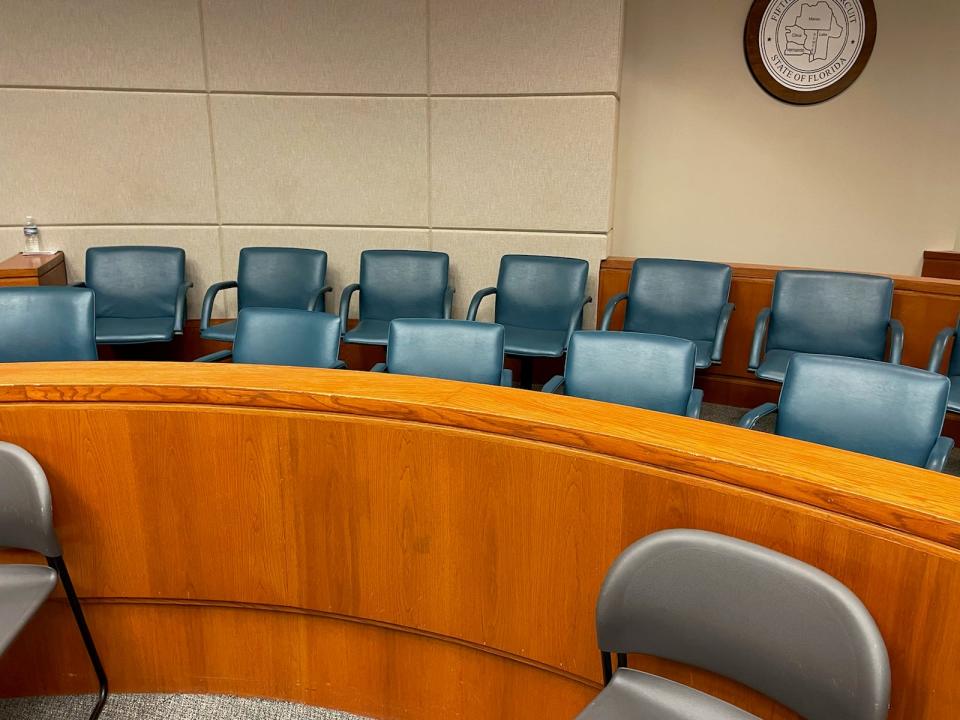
pixel 141 293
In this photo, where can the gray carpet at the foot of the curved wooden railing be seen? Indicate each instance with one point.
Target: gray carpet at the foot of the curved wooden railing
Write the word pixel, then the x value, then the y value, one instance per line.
pixel 164 707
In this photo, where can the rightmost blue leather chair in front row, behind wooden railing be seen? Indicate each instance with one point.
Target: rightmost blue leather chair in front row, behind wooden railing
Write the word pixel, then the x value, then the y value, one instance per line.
pixel 866 406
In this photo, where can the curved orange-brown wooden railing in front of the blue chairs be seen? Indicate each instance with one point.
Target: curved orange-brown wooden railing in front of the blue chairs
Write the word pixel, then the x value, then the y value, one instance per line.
pixel 402 547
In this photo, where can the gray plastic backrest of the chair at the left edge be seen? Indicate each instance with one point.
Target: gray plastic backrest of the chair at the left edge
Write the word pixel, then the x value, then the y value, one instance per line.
pixel 26 510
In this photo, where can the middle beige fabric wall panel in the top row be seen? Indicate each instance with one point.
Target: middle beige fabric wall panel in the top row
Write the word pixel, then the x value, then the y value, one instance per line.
pixel 317 46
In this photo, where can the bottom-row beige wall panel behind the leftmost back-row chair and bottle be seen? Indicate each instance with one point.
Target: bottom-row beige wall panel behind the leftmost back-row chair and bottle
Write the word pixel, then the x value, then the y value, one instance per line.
pixel 200 244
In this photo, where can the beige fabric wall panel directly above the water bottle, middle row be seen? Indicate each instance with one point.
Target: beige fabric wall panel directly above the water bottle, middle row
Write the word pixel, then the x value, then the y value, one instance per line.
pixel 104 157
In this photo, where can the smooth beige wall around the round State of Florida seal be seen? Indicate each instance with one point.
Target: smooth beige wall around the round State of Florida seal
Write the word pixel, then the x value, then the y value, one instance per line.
pixel 712 167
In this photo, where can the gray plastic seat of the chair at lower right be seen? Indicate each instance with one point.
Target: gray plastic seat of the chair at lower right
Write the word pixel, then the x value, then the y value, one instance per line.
pixel 632 694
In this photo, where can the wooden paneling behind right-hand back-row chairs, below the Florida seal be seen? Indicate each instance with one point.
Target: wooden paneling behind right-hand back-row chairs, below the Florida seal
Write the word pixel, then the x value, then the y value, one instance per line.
pixel 923 305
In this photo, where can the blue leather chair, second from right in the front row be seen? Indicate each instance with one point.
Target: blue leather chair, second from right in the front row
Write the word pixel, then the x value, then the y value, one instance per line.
pixel 654 372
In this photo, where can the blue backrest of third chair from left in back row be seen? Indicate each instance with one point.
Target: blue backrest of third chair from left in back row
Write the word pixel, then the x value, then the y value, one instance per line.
pixel 402 283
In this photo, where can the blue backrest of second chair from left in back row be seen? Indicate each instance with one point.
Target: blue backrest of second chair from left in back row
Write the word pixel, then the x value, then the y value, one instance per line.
pixel 280 277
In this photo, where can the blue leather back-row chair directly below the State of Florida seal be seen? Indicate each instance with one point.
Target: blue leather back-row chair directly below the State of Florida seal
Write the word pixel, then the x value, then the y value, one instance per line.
pixel 824 313
